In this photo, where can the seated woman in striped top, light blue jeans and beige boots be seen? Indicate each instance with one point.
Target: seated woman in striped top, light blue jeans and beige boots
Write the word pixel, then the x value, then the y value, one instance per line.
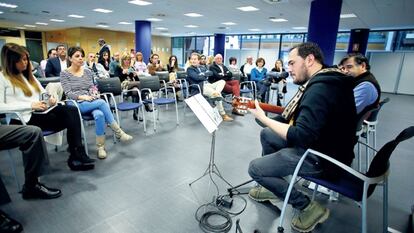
pixel 77 84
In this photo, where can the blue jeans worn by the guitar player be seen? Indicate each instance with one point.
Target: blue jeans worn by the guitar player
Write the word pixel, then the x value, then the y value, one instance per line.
pixel 278 162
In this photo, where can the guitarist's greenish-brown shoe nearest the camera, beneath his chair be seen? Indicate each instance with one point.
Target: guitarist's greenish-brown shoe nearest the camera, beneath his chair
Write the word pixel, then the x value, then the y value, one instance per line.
pixel 307 219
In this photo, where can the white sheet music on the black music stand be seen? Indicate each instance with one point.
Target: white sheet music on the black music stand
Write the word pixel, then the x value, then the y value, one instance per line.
pixel 209 116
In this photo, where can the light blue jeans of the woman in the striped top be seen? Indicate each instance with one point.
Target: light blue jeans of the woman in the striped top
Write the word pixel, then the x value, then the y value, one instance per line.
pixel 100 111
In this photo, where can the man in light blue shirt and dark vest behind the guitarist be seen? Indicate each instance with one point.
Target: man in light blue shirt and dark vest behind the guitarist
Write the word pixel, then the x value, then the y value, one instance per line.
pixel 367 91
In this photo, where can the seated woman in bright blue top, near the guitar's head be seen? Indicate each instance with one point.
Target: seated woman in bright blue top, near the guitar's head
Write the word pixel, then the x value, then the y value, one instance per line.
pixel 258 75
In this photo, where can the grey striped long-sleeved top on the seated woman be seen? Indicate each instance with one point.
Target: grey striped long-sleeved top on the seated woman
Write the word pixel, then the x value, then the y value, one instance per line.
pixel 74 86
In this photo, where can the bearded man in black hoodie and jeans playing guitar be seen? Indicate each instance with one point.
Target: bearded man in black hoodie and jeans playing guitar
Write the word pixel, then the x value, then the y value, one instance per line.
pixel 310 120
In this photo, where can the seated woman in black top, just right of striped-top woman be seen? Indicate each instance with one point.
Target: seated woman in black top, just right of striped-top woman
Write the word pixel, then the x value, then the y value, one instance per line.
pixel 129 79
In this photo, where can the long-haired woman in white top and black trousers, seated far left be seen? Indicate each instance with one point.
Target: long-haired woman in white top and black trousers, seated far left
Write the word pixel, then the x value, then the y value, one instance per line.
pixel 20 93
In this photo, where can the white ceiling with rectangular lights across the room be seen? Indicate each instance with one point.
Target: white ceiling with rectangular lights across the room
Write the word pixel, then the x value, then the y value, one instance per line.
pixel 373 14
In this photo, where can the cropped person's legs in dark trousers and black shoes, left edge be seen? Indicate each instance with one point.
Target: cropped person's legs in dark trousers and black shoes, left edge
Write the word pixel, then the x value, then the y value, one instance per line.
pixel 29 139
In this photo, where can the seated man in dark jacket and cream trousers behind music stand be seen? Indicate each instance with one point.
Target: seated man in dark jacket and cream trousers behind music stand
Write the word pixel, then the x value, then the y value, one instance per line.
pixel 197 75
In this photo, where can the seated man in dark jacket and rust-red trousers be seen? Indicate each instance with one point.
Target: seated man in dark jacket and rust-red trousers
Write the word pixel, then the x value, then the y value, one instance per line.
pixel 221 72
